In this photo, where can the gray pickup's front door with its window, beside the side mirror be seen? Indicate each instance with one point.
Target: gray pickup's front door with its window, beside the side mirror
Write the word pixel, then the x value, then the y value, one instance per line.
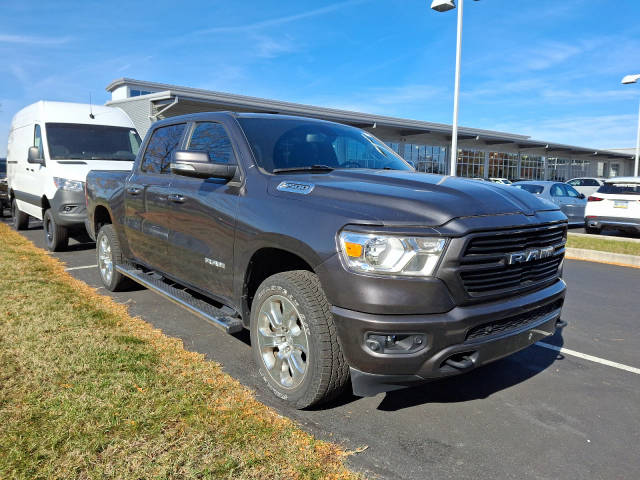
pixel 203 216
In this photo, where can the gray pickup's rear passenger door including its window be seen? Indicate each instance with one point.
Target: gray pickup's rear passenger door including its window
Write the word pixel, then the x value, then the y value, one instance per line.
pixel 147 208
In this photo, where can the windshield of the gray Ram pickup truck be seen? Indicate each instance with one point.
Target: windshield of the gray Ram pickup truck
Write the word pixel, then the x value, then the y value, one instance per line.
pixel 297 143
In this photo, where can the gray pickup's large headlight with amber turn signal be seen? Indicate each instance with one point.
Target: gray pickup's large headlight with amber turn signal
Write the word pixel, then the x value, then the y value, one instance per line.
pixel 391 254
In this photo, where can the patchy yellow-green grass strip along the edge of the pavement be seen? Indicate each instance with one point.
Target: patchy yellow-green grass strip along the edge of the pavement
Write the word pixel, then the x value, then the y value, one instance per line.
pixel 87 391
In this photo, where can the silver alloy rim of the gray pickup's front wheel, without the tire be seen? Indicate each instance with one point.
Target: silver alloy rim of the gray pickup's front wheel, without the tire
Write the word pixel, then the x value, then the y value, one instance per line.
pixel 282 342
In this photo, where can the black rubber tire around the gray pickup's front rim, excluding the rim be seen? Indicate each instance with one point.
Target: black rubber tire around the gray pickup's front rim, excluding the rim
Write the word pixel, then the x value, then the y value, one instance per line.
pixel 327 372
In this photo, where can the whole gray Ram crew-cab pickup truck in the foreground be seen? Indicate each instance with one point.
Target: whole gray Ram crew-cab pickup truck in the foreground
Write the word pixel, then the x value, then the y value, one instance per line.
pixel 345 264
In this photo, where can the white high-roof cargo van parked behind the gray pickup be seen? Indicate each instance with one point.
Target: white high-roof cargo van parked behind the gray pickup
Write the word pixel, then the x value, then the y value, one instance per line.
pixel 52 146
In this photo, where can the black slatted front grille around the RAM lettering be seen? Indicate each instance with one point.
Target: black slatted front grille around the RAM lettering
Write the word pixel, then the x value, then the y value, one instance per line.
pixel 485 268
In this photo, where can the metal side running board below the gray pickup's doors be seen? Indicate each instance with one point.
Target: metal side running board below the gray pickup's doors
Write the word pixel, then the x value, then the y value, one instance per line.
pixel 219 317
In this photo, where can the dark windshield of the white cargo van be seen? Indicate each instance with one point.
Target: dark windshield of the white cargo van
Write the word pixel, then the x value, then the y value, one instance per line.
pixel 91 142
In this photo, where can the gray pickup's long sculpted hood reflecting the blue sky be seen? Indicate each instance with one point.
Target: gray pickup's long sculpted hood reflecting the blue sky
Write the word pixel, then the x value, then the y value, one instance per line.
pixel 410 198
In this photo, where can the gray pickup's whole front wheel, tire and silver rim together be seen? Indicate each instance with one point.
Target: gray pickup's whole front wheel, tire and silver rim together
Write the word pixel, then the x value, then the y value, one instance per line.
pixel 294 340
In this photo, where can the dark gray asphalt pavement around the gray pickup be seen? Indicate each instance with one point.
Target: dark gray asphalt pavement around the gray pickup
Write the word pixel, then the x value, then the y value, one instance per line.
pixel 538 414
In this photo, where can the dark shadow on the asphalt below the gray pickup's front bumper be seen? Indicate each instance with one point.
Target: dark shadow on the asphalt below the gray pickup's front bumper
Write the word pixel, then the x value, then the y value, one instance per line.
pixel 480 383
